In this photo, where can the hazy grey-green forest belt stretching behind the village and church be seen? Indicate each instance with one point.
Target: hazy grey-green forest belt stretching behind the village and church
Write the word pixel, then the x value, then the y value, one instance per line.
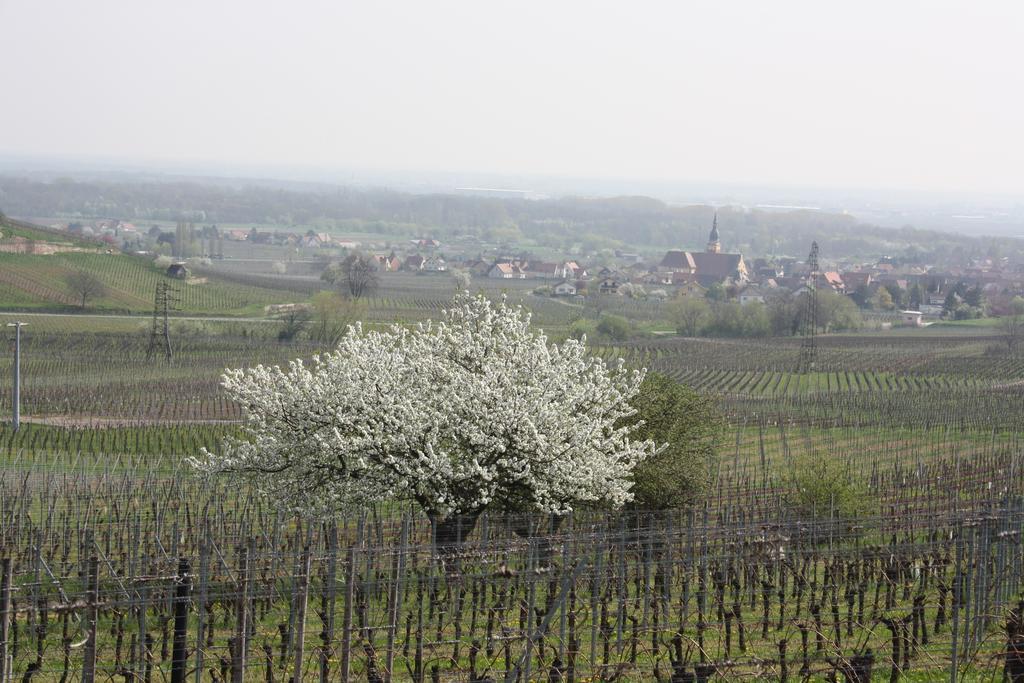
pixel 592 224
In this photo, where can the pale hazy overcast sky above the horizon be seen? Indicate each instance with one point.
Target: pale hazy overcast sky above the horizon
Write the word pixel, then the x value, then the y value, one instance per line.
pixel 891 95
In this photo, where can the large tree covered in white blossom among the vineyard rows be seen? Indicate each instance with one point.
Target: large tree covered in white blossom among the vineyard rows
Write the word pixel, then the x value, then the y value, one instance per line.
pixel 472 412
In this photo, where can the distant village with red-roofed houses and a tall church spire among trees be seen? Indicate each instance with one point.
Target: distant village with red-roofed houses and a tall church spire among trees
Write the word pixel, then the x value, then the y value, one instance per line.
pixel 986 287
